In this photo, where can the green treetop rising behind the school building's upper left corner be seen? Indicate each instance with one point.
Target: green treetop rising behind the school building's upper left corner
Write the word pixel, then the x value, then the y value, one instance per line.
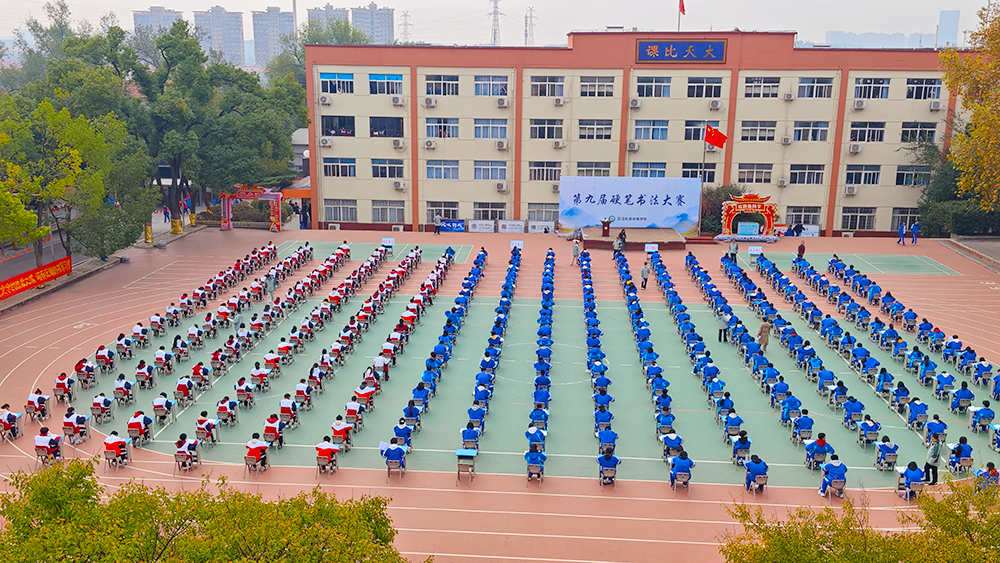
pixel 293 56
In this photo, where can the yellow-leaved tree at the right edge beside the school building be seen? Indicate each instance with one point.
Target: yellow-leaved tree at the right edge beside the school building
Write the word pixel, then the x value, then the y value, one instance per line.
pixel 975 77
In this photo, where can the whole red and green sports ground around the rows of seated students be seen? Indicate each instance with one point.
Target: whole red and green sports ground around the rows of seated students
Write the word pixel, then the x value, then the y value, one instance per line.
pixel 497 517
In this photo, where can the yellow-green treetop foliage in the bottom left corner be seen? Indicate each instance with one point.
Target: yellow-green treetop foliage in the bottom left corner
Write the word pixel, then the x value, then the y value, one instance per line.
pixel 53 515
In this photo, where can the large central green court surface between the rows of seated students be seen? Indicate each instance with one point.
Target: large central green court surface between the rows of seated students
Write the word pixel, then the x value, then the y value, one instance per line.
pixel 571 445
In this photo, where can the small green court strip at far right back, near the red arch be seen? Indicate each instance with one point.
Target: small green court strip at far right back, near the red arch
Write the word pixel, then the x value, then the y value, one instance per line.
pixel 867 263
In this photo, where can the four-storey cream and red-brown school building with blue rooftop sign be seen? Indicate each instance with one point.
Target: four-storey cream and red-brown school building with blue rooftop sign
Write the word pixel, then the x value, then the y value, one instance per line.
pixel 400 134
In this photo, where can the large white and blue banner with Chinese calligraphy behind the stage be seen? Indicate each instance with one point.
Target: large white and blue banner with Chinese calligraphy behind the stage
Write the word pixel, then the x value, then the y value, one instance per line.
pixel 664 203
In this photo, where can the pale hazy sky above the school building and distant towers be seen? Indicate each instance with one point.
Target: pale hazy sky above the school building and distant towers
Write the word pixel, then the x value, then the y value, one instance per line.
pixel 467 22
